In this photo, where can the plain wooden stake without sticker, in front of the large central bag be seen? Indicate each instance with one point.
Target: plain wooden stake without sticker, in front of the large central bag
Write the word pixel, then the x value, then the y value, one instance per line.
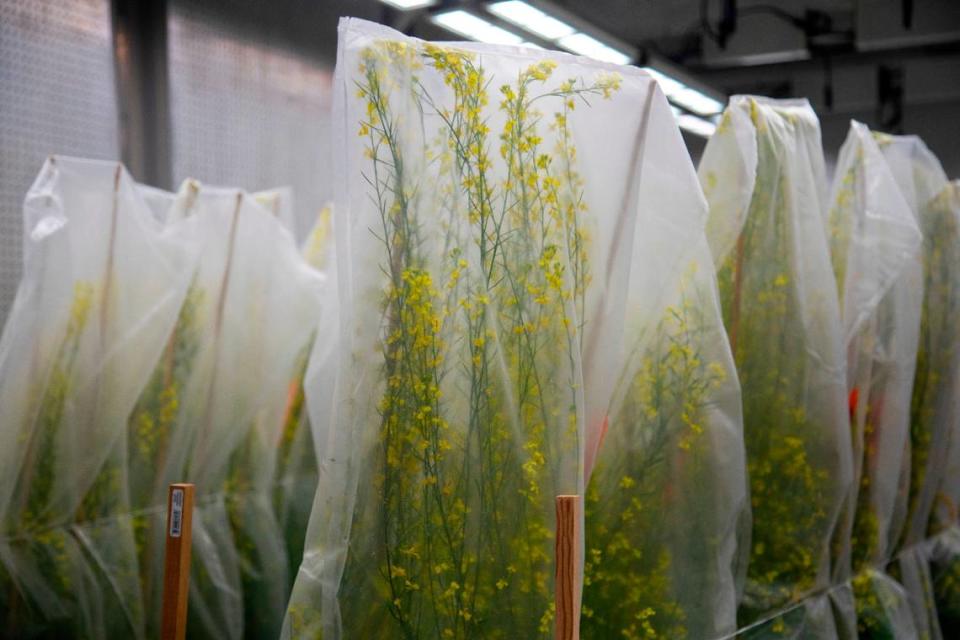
pixel 568 568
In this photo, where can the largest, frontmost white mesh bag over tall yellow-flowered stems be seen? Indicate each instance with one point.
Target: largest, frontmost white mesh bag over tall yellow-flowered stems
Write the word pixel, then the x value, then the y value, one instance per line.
pixel 483 233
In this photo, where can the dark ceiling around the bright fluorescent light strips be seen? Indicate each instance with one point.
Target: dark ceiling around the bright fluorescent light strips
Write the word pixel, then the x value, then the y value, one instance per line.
pixel 850 58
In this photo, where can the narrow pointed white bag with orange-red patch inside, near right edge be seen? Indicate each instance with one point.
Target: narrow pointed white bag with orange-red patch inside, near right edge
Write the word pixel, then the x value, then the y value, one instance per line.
pixel 875 247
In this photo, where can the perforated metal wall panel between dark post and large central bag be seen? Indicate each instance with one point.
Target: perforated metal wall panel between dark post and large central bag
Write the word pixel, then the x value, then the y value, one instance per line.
pixel 246 109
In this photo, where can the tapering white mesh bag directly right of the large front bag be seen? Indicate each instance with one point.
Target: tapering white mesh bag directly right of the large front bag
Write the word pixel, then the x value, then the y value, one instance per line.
pixel 668 494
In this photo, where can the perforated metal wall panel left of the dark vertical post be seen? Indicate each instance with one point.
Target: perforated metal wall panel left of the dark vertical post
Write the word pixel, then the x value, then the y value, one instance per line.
pixel 57 95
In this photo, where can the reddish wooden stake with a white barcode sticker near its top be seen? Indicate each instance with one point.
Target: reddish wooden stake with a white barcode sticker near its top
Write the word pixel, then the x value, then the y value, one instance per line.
pixel 176 567
